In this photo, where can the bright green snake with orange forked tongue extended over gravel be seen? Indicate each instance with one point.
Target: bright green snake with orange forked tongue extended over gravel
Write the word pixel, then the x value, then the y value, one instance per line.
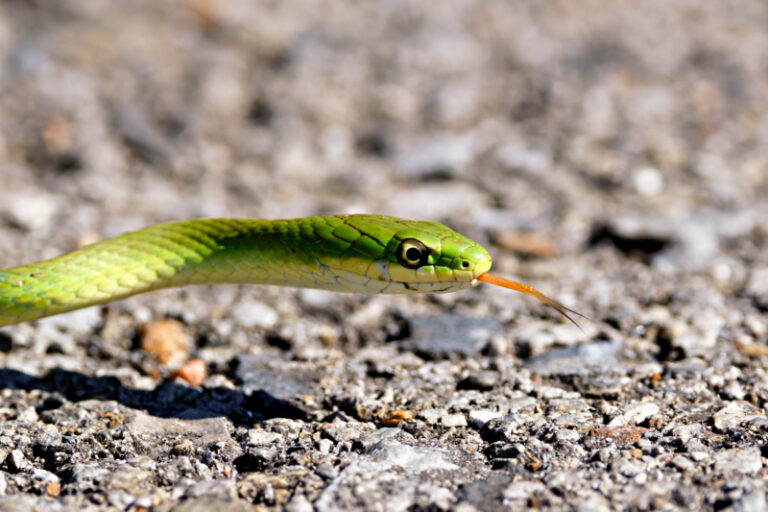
pixel 344 253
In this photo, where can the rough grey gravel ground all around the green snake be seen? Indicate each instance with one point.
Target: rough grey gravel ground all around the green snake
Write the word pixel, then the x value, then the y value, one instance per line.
pixel 612 154
